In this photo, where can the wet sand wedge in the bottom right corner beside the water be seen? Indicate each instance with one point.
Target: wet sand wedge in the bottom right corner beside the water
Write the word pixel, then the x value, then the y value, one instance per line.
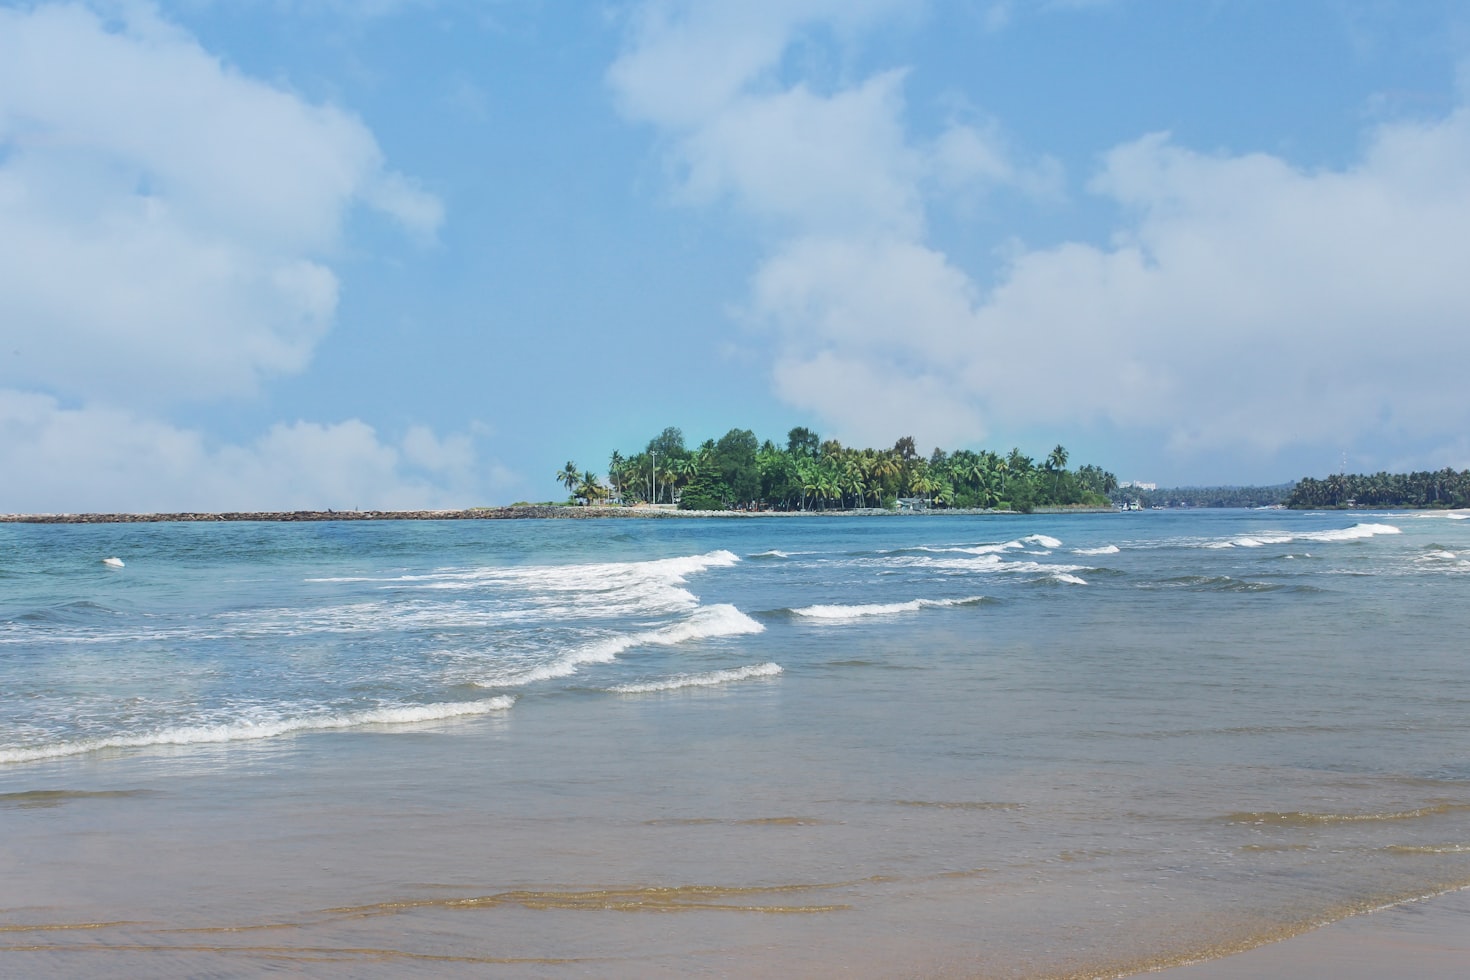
pixel 1428 940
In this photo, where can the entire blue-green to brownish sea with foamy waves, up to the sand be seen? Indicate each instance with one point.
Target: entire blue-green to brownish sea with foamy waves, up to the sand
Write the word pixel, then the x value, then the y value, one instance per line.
pixel 946 746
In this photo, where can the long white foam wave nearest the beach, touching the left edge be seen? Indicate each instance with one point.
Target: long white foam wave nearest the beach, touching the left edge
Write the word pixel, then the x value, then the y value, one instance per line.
pixel 267 729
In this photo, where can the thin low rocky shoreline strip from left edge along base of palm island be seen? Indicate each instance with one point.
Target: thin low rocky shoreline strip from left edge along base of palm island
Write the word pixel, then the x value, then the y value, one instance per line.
pixel 492 514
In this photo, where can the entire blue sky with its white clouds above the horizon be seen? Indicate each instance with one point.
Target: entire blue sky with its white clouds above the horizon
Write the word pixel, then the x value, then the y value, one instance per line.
pixel 277 255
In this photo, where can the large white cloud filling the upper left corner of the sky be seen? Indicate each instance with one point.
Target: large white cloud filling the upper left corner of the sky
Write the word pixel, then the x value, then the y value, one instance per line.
pixel 165 221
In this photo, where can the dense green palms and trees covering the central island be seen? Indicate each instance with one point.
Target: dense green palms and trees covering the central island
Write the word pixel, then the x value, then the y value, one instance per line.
pixel 740 472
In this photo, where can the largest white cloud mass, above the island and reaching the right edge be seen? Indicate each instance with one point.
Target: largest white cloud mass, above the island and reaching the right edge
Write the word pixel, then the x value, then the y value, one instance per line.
pixel 1243 305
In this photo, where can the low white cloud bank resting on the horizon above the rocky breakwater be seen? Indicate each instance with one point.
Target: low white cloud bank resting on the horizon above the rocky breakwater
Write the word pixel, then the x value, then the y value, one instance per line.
pixel 80 461
